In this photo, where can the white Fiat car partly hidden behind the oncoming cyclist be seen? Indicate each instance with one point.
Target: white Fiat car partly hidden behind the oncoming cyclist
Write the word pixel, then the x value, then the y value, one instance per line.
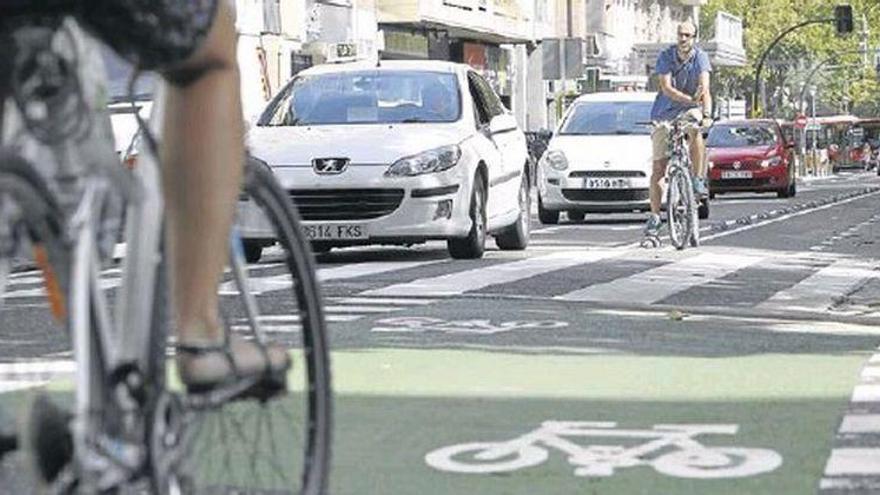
pixel 599 159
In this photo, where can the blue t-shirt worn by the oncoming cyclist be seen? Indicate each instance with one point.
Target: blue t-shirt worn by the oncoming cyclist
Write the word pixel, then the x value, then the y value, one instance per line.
pixel 685 78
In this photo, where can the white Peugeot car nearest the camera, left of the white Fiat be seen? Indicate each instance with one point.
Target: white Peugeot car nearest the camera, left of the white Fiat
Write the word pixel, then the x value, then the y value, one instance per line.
pixel 396 153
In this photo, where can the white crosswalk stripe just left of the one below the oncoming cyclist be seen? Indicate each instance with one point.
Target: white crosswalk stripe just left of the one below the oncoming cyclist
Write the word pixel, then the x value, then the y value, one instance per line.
pixel 469 280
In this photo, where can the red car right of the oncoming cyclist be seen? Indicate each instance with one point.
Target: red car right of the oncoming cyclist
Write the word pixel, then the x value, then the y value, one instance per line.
pixel 750 155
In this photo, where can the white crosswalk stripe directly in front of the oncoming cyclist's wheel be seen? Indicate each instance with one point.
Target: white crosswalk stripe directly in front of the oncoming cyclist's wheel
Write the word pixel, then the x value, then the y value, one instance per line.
pixel 654 285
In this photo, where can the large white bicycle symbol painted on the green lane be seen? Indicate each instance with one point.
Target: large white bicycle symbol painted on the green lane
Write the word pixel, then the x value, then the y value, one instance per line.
pixel 669 449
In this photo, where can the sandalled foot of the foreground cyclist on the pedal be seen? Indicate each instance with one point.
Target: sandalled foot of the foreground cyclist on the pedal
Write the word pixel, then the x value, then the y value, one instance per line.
pixel 207 366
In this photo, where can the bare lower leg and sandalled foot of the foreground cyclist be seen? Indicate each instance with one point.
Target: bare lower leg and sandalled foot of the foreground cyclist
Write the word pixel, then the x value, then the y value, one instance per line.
pixel 203 156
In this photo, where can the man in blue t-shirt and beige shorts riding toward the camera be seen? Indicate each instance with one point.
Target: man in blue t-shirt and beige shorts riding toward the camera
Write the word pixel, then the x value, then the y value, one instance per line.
pixel 683 70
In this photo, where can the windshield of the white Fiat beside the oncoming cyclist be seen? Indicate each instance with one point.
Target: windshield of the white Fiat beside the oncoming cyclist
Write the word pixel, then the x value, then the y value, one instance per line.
pixel 602 118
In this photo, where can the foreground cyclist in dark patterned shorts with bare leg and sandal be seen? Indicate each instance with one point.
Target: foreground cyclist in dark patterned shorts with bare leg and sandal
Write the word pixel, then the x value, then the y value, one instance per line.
pixel 192 43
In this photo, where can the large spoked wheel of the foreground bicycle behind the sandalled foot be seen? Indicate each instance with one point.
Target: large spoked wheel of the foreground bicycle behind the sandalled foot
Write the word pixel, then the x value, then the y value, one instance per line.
pixel 280 445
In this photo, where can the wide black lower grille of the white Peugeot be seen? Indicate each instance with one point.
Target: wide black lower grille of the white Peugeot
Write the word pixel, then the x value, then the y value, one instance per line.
pixel 346 204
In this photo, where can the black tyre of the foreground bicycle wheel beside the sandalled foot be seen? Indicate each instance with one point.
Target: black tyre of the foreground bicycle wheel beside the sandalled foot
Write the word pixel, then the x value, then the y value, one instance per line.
pixel 263 187
